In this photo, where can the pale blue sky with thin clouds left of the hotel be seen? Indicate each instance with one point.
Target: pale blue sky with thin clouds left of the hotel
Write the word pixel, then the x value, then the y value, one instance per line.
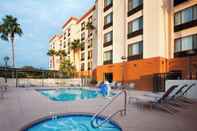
pixel 40 20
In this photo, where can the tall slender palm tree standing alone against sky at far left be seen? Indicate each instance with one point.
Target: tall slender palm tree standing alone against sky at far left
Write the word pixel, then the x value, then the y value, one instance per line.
pixel 9 29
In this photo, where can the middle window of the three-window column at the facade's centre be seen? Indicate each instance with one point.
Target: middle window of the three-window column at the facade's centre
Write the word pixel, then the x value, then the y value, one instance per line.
pixel 135 25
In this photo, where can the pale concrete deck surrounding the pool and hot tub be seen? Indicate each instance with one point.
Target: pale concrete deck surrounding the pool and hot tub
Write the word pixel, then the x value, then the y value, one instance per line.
pixel 22 106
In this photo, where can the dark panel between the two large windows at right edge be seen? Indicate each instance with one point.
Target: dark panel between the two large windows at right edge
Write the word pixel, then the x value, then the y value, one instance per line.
pixel 185 26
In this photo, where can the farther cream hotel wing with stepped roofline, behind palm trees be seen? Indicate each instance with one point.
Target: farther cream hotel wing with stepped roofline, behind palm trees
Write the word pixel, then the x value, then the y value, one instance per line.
pixel 75 29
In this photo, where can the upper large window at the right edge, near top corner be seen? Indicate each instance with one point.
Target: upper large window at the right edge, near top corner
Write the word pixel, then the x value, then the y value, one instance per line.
pixel 185 16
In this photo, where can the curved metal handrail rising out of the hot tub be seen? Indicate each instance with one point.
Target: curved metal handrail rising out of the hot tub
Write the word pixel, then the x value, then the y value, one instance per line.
pixel 94 121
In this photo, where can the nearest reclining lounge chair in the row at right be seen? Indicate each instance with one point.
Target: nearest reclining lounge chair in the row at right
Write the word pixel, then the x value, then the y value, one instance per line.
pixel 157 101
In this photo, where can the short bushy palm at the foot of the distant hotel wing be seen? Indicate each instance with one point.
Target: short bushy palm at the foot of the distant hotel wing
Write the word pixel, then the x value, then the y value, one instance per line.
pixel 67 68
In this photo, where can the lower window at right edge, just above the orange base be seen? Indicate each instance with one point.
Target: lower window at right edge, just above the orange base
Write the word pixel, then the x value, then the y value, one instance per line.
pixel 186 43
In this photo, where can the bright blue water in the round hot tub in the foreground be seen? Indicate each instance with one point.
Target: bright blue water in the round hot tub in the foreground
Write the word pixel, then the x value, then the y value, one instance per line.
pixel 77 122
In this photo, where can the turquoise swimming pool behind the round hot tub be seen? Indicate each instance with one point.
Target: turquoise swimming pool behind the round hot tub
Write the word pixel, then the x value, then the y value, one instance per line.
pixel 70 94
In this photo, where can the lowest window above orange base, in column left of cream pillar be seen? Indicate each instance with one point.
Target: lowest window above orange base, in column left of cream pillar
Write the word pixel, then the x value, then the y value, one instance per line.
pixel 135 49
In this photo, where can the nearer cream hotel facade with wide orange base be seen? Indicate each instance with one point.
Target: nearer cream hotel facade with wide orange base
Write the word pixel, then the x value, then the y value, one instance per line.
pixel 136 39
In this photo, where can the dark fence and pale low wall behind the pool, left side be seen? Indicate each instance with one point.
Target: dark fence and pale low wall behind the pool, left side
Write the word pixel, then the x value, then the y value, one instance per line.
pixel 17 77
